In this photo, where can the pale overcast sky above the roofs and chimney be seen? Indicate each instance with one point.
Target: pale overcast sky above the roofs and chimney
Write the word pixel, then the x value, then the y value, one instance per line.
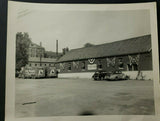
pixel 75 28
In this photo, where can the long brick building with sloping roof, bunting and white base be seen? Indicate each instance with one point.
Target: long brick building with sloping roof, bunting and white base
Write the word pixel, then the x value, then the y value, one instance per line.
pixel 132 56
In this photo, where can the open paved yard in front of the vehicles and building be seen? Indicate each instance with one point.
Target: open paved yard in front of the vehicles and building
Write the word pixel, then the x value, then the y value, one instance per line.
pixel 71 97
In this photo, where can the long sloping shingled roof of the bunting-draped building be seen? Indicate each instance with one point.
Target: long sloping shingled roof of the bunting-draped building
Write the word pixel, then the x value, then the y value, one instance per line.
pixel 123 47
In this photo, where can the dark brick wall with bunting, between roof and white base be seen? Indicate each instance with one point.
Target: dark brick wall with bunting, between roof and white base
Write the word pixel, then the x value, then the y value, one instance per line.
pixel 107 64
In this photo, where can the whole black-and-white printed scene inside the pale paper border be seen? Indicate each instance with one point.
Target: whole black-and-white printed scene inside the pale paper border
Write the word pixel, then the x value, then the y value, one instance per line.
pixel 86 62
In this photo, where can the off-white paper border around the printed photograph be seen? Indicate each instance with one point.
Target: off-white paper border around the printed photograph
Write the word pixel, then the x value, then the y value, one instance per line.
pixel 10 63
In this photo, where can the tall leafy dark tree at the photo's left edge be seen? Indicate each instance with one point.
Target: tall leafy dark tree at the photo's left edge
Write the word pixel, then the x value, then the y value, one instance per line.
pixel 22 44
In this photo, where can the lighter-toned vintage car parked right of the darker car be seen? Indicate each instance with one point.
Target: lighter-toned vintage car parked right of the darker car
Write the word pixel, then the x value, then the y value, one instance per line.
pixel 116 75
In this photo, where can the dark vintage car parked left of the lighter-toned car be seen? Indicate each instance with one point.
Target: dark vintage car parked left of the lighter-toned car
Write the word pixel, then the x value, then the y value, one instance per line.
pixel 100 75
